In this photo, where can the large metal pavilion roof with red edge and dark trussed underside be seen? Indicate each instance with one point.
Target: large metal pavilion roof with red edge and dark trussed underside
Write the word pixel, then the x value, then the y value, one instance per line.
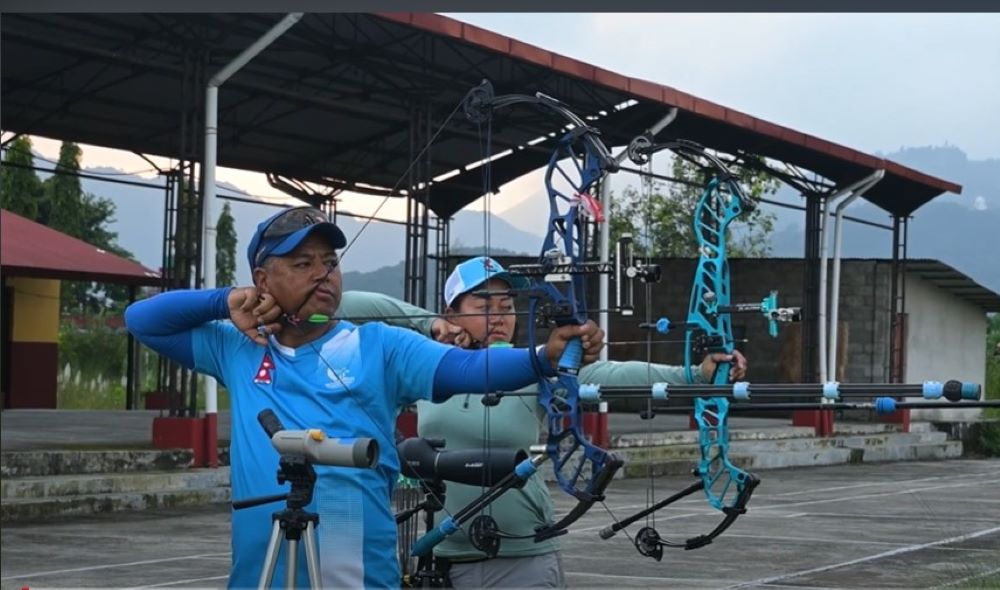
pixel 331 100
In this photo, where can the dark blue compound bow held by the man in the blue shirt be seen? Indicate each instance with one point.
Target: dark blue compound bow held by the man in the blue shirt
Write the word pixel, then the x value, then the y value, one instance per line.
pixel 557 298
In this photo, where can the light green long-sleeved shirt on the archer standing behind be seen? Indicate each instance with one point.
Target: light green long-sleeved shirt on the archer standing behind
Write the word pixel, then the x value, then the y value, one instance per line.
pixel 465 423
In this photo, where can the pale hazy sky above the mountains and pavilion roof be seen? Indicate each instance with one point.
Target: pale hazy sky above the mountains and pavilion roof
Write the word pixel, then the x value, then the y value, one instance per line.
pixel 868 81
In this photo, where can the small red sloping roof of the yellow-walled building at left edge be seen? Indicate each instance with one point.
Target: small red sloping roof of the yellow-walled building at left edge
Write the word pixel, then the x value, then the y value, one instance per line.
pixel 31 249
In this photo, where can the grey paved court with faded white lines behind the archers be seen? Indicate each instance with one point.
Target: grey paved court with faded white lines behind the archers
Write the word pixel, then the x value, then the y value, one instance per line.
pixel 899 525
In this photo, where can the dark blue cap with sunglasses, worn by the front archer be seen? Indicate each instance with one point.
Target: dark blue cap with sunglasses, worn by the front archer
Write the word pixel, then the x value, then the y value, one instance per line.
pixel 281 233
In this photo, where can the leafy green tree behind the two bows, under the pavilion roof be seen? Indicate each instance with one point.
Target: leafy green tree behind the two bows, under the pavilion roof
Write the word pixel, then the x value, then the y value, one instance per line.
pixel 660 216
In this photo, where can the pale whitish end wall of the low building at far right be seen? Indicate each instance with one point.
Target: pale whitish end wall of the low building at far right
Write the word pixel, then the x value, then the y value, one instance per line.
pixel 945 339
